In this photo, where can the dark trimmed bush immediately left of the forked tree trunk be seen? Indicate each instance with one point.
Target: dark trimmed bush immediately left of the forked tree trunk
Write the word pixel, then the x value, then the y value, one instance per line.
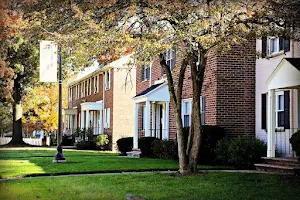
pixel 166 149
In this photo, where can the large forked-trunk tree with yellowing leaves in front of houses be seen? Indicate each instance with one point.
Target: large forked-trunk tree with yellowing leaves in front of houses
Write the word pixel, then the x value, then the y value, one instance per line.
pixel 199 28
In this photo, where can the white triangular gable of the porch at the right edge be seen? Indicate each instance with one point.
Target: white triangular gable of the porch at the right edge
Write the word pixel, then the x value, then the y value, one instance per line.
pixel 284 76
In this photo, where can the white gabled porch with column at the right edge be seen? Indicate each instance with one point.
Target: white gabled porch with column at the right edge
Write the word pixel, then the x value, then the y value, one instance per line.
pixel 283 107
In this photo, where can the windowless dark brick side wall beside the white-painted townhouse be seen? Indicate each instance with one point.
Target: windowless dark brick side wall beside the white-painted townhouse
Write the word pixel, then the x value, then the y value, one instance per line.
pixel 236 91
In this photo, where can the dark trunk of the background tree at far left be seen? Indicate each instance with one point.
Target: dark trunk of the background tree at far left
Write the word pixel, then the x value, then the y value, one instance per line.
pixel 17 138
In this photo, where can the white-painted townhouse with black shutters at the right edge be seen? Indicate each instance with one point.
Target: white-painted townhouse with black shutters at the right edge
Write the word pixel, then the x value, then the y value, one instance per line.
pixel 277 94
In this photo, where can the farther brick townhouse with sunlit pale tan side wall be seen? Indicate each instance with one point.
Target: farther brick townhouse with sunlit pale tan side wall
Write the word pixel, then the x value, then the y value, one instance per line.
pixel 100 98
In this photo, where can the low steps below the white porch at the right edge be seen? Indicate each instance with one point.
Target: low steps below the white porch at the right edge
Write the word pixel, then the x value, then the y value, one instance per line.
pixel 277 168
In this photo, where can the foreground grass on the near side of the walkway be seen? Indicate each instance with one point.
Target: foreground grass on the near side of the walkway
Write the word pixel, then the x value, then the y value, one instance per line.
pixel 154 186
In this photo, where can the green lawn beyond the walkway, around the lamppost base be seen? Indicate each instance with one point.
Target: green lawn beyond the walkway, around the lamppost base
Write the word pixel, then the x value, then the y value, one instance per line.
pixel 38 161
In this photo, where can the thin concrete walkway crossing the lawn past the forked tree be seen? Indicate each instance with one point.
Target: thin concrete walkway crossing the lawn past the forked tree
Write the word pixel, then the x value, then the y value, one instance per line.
pixel 144 172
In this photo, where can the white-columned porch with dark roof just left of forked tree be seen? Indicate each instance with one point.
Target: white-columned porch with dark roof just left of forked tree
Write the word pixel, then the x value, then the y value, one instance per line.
pixel 153 104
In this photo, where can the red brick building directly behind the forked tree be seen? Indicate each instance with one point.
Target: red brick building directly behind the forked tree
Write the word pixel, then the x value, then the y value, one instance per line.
pixel 228 95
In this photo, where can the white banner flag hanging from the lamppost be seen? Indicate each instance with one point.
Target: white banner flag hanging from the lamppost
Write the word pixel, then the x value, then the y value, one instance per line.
pixel 48 61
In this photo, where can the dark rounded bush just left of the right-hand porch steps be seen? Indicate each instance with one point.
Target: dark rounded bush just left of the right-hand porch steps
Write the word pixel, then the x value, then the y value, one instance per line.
pixel 241 153
